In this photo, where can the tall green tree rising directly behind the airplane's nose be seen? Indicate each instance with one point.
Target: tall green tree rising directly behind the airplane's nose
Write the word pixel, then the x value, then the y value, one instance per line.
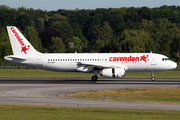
pixel 163 32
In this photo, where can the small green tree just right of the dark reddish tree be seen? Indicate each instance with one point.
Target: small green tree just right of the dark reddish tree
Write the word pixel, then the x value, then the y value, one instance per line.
pixel 57 45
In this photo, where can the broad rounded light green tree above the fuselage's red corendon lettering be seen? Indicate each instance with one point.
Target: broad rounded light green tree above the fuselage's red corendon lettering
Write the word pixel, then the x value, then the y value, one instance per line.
pixel 136 41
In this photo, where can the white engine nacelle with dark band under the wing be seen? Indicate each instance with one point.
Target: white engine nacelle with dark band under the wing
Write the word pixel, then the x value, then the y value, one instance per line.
pixel 113 72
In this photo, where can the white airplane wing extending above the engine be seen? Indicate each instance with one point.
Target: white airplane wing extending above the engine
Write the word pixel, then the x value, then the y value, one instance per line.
pixel 89 67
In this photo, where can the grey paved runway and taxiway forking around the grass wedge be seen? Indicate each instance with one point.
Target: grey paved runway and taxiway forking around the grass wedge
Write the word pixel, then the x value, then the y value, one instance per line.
pixel 51 91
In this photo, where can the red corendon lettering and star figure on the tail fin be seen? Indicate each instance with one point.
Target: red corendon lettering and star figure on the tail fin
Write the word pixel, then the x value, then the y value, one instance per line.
pixel 23 46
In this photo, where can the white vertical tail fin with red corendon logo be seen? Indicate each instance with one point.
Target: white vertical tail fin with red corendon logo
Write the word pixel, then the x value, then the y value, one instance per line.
pixel 19 43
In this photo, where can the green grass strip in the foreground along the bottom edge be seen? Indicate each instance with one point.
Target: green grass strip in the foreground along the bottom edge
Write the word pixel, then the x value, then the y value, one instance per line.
pixel 47 112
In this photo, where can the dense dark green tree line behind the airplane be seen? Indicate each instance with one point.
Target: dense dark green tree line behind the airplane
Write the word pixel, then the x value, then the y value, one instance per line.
pixel 101 30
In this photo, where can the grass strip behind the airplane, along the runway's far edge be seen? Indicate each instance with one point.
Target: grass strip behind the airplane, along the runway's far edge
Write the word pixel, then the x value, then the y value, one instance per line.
pixel 37 73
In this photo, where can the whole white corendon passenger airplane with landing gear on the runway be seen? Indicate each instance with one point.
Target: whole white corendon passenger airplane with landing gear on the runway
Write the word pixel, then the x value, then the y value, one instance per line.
pixel 112 65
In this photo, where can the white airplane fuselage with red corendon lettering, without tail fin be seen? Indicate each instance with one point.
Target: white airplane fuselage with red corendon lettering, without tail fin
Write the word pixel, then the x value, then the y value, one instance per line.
pixel 68 62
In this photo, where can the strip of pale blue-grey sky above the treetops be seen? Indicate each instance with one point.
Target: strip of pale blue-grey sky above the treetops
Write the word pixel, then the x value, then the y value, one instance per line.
pixel 54 5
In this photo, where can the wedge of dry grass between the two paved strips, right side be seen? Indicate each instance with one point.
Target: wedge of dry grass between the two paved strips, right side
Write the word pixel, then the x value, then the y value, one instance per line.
pixel 147 95
